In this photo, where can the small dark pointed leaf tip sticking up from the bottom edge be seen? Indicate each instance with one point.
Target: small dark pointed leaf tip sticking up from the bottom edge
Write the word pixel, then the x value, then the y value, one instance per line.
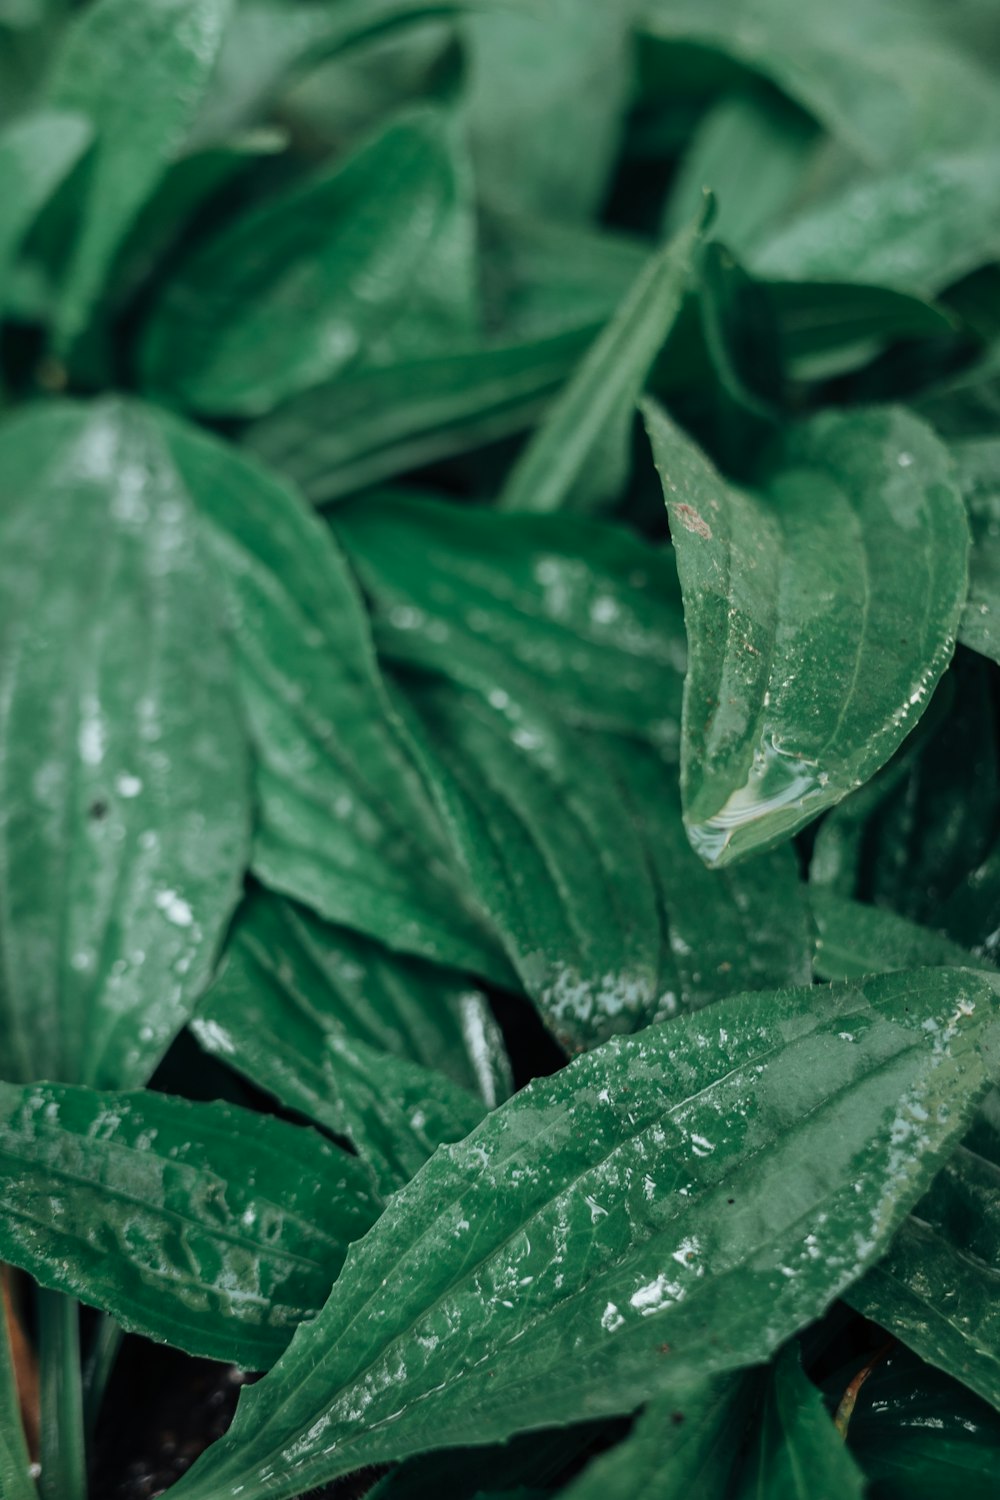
pixel 797 1453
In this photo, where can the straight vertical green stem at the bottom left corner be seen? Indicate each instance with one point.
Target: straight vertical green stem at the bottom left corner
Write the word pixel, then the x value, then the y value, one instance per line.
pixel 62 1439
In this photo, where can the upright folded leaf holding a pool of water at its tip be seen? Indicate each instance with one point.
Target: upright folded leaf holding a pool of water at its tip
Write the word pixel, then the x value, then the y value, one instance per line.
pixel 821 613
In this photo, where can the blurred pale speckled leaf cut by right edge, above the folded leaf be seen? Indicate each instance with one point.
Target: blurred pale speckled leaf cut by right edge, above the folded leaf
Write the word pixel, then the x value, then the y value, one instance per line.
pixel 917 230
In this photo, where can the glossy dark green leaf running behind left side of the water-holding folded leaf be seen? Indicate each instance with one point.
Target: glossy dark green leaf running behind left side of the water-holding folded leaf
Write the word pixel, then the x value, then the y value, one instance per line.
pixel 576 614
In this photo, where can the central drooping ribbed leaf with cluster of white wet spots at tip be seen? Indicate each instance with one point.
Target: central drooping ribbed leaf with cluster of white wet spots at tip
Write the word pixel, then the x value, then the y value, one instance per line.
pixel 551 854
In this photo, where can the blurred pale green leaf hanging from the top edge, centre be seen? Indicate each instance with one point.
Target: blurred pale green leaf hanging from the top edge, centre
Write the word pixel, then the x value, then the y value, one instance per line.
pixel 545 104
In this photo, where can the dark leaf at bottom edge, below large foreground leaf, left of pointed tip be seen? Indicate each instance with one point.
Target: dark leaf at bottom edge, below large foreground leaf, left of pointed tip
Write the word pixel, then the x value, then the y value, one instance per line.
pixel 681 1447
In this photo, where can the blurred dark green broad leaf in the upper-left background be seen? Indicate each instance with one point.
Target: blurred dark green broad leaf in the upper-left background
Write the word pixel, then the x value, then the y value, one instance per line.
pixel 296 290
